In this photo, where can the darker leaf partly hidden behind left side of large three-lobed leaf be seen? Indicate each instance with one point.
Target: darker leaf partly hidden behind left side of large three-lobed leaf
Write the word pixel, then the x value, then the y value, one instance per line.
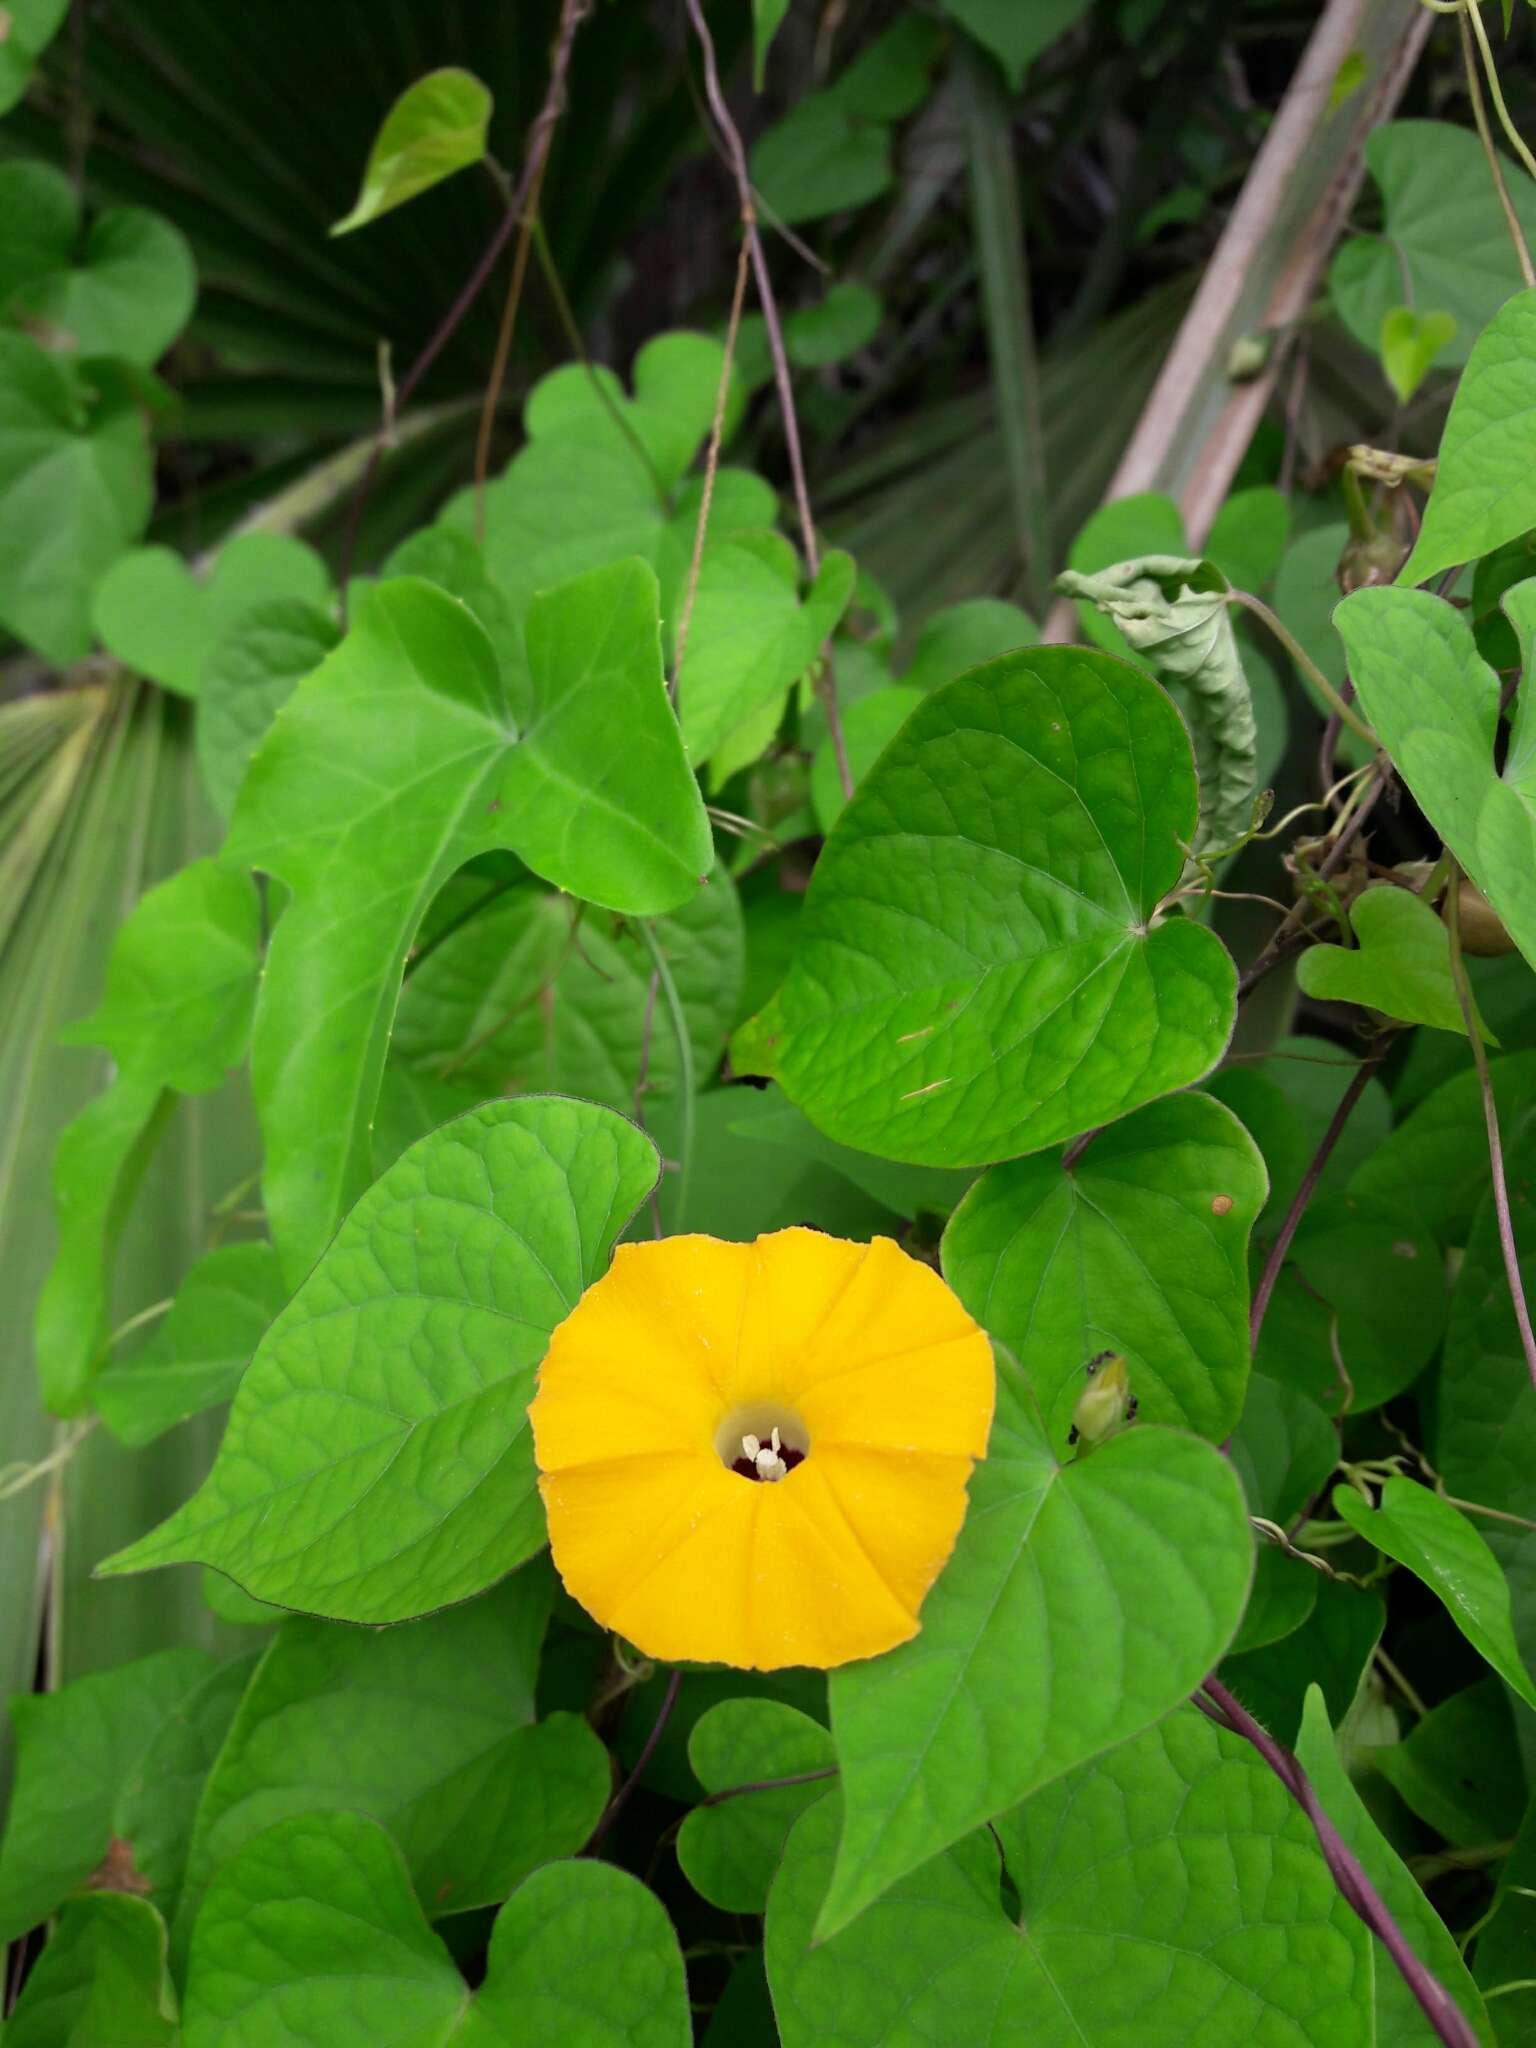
pixel 247 679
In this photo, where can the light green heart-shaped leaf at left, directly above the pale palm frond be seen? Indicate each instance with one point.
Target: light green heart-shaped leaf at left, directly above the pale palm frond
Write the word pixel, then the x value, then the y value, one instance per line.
pixel 165 622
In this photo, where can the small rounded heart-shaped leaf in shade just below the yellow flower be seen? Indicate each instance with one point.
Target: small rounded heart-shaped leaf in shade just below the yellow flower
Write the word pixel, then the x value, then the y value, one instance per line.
pixel 730 1850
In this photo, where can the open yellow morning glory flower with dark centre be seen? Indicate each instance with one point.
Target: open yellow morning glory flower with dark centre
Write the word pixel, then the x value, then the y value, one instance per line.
pixel 757 1455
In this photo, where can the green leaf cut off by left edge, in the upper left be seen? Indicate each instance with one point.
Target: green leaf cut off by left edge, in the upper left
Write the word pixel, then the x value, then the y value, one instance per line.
pixel 75 490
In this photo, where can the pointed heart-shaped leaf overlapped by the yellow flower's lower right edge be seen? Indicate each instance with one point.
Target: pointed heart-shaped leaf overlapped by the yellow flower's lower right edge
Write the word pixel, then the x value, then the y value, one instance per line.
pixel 1080 1607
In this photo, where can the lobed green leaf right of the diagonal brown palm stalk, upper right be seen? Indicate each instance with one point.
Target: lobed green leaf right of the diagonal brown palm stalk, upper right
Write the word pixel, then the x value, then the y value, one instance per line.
pixel 1445 243
